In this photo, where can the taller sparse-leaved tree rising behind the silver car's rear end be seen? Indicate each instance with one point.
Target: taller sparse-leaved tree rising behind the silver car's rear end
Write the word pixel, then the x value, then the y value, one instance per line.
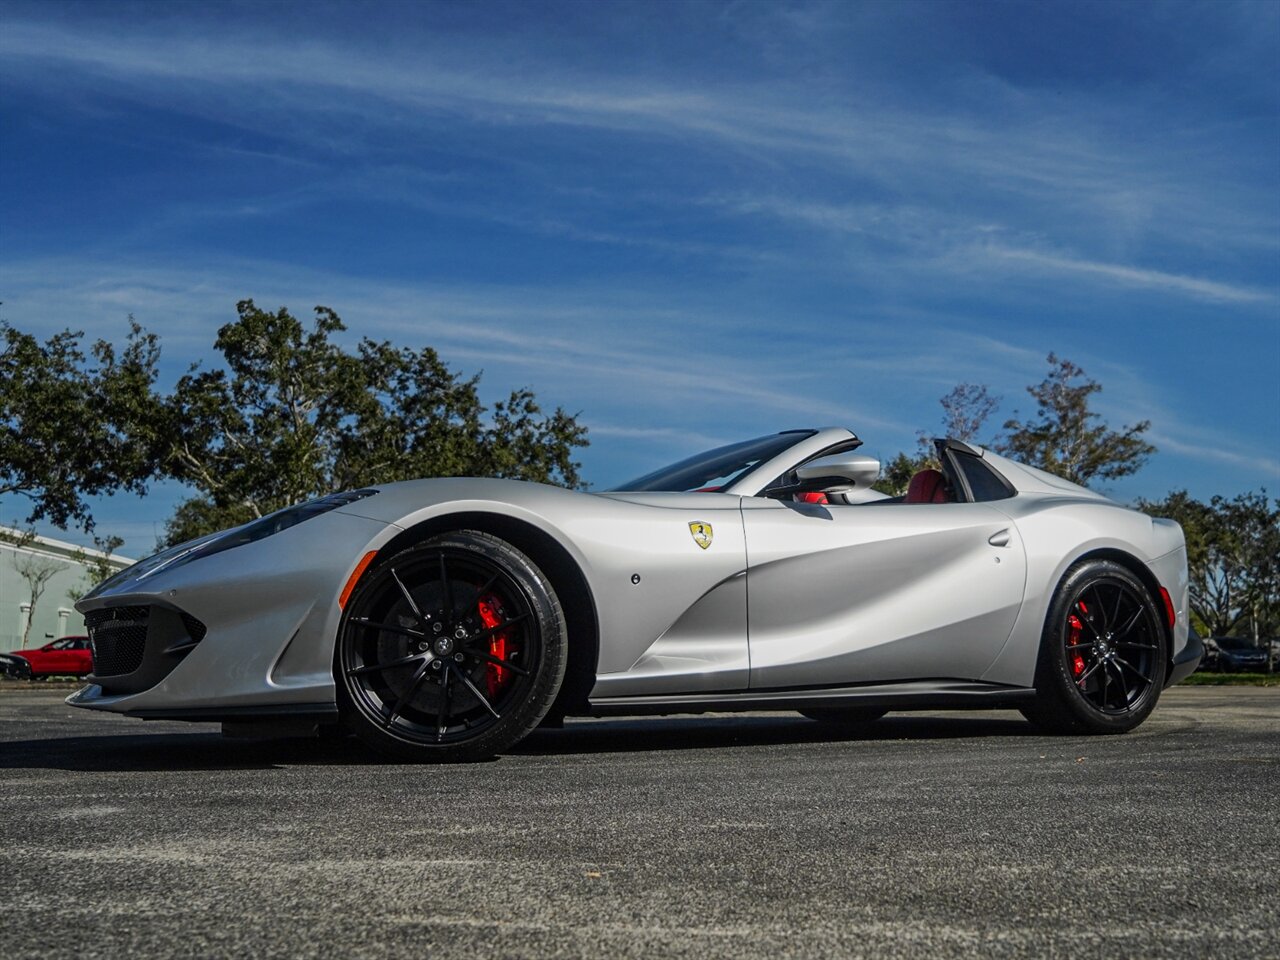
pixel 1068 438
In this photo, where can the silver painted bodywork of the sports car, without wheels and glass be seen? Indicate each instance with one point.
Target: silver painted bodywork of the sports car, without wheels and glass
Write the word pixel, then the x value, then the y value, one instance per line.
pixel 785 596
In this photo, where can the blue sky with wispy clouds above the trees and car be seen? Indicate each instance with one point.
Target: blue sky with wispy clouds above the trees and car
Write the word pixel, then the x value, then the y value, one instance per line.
pixel 691 222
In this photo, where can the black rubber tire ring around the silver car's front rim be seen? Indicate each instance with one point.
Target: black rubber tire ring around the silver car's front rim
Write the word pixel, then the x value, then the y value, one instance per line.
pixel 542 688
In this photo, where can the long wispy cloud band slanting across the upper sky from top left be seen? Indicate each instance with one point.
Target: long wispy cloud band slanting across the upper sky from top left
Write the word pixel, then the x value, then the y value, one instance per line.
pixel 299 86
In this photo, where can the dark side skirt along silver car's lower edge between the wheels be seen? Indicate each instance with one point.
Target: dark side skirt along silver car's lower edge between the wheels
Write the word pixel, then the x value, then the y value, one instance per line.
pixel 908 696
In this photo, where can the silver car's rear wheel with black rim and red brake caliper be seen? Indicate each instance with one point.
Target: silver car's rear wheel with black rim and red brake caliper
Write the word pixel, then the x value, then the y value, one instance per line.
pixel 1104 656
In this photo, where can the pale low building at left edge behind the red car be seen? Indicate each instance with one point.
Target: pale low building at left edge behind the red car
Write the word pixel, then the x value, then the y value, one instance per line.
pixel 60 575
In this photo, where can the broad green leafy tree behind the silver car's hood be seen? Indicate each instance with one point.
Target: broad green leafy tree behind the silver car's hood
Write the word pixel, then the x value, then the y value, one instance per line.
pixel 294 415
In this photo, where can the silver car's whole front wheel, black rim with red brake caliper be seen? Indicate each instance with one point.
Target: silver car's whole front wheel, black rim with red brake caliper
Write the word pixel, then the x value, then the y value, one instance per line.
pixel 450 651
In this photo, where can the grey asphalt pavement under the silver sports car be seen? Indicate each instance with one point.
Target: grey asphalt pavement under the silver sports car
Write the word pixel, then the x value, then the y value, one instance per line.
pixel 749 836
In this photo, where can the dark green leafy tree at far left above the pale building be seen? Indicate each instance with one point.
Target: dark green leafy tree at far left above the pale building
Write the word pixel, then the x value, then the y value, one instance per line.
pixel 75 426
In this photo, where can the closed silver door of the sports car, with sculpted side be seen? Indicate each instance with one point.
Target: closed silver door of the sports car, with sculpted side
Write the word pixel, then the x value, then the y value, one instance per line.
pixel 880 592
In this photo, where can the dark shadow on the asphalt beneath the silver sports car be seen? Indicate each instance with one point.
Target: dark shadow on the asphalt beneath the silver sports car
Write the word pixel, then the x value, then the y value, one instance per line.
pixel 208 751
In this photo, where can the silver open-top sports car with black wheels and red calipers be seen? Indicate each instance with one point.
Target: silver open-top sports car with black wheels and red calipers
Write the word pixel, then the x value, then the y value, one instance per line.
pixel 447 619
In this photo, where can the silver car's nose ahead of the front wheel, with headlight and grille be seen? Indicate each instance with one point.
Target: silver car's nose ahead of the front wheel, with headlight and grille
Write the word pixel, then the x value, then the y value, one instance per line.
pixel 271 610
